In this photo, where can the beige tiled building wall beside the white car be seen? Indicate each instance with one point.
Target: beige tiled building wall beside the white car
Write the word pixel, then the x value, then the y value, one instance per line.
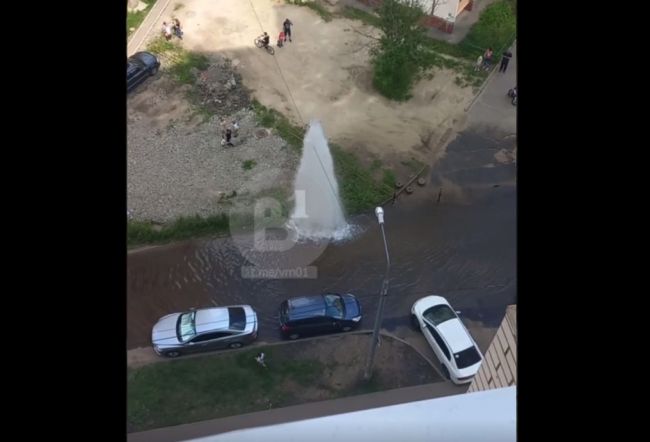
pixel 499 368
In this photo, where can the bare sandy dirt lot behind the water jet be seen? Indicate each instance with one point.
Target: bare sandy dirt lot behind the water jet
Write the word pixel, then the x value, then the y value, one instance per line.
pixel 324 74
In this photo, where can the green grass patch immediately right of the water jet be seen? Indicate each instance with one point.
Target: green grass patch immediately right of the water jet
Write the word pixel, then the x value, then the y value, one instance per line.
pixel 360 189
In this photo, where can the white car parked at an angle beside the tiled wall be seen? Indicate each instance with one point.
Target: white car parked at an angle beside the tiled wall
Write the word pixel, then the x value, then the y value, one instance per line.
pixel 448 337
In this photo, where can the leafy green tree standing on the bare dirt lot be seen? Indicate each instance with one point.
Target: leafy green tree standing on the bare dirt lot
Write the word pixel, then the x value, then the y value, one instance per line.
pixel 398 56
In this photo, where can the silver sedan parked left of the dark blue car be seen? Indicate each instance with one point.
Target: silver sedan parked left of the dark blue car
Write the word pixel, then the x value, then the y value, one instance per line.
pixel 204 329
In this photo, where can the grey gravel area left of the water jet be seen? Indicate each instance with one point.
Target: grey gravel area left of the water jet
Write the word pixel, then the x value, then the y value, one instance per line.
pixel 177 165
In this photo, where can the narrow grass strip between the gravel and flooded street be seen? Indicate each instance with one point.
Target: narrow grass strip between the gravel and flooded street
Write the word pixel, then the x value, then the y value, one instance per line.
pixel 142 232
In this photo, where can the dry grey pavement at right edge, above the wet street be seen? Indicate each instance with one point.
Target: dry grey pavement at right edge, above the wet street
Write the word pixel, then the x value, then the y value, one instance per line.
pixel 492 108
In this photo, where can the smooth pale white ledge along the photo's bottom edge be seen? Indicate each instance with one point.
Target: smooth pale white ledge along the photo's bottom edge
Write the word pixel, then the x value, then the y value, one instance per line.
pixel 485 416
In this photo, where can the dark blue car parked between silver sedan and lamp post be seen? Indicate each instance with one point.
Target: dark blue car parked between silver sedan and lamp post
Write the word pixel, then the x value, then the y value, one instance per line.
pixel 326 313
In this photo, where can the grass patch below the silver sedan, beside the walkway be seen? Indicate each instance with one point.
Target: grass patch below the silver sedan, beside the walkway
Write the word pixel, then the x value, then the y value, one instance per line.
pixel 189 390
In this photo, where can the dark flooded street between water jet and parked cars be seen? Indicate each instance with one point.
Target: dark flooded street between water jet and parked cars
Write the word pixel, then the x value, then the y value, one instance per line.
pixel 455 237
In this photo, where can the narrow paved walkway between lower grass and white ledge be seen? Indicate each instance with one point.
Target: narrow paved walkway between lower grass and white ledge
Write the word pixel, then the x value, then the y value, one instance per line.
pixel 298 412
